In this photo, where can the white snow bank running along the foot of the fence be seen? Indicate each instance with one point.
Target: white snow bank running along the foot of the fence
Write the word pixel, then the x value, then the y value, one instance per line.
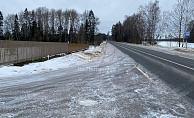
pixel 73 59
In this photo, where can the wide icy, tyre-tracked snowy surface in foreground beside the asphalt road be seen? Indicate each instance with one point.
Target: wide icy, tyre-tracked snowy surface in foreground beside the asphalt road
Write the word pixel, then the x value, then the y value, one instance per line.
pixel 111 86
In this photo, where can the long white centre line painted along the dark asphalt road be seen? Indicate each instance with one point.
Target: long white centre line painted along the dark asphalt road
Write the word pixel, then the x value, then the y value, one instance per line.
pixel 161 58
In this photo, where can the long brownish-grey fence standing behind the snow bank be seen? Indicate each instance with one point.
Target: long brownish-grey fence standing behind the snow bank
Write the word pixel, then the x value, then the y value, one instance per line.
pixel 19 51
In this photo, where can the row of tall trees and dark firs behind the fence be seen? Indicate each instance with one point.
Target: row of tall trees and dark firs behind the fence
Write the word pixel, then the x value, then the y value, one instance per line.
pixel 52 25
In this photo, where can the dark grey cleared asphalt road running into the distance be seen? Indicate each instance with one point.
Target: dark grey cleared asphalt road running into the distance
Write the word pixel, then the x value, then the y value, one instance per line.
pixel 177 72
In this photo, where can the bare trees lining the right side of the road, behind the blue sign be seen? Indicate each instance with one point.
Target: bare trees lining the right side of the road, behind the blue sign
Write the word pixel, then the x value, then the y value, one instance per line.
pixel 150 23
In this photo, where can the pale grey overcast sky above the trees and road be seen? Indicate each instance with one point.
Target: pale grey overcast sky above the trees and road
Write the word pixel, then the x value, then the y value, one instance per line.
pixel 109 11
